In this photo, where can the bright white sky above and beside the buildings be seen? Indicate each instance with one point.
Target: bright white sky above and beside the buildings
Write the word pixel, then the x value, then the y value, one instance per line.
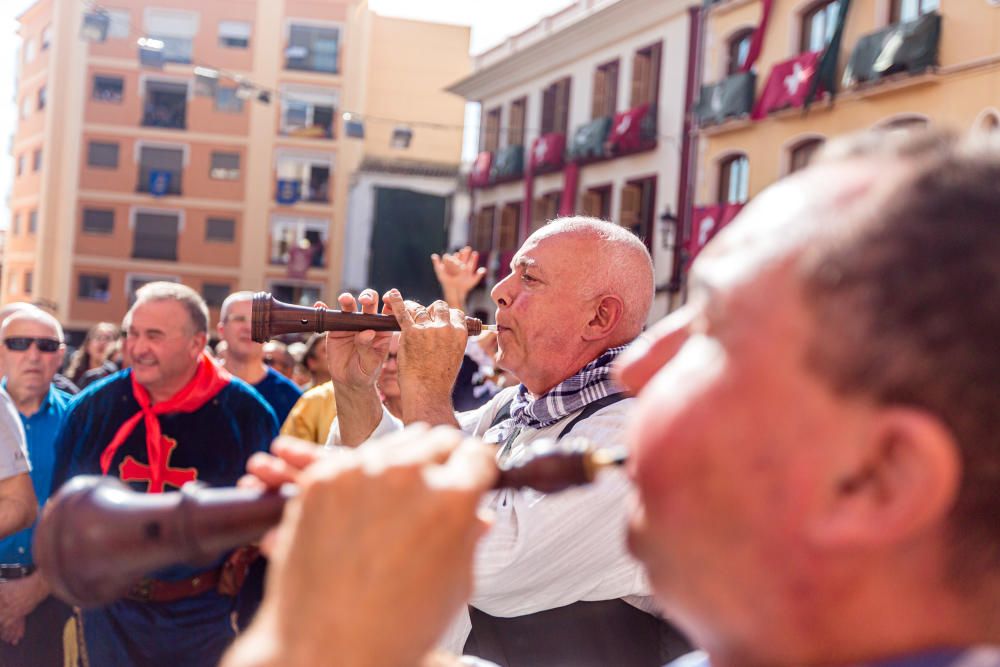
pixel 491 20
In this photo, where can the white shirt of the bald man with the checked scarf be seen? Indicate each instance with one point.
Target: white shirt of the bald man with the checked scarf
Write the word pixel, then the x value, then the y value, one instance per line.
pixel 547 550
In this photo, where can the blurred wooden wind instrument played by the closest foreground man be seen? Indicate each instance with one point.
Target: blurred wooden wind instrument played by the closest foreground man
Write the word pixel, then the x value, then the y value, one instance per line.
pixel 97 538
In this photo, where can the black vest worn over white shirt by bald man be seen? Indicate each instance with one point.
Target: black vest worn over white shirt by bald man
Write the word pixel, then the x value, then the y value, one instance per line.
pixel 606 633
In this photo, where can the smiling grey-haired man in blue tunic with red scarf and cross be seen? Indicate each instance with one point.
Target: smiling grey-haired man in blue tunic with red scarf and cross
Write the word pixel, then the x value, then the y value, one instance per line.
pixel 174 417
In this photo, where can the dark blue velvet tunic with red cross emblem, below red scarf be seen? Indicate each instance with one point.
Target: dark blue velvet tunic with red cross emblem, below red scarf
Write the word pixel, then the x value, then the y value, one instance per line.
pixel 216 441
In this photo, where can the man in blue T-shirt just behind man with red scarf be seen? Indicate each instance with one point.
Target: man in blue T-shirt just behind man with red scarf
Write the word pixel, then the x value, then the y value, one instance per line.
pixel 245 359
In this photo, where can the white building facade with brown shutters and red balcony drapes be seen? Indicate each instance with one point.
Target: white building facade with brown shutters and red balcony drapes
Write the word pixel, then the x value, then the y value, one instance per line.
pixel 583 113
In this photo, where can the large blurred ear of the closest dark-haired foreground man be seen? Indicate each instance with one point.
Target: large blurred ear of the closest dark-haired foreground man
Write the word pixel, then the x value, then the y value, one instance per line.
pixel 903 481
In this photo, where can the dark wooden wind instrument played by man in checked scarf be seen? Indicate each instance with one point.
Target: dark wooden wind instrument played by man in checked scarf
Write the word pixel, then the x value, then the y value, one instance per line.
pixel 270 317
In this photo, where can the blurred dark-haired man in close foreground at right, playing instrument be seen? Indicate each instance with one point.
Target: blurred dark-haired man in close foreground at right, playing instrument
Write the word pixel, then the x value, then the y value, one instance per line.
pixel 815 447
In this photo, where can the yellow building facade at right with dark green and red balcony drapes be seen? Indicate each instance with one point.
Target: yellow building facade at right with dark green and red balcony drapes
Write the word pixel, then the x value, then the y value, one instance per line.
pixel 891 64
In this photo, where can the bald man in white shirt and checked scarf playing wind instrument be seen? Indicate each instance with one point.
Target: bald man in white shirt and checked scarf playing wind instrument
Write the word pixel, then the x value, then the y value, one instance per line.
pixel 552 573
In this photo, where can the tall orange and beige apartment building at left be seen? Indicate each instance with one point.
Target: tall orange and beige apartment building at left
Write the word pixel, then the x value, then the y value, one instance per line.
pixel 203 142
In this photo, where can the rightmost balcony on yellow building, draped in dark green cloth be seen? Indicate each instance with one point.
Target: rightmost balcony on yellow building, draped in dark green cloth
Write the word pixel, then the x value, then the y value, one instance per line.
pixel 910 48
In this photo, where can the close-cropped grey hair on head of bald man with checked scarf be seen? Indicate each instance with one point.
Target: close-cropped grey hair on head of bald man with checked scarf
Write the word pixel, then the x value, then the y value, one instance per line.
pixel 625 269
